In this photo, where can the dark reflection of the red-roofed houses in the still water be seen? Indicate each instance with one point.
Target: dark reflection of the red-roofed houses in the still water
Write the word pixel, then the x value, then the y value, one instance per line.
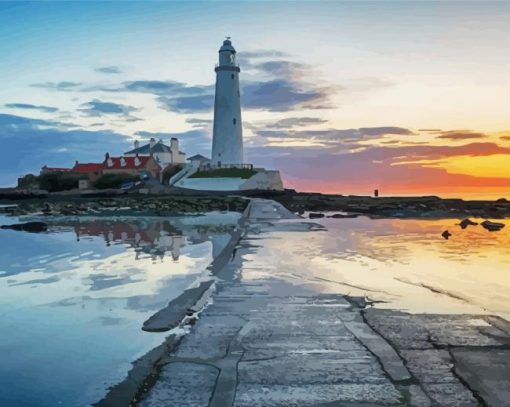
pixel 155 239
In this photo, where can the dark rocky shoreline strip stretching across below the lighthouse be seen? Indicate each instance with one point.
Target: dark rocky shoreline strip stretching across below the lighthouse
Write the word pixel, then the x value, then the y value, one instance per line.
pixel 176 202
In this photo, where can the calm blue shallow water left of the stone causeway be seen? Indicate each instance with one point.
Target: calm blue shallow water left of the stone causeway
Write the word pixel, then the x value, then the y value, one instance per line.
pixel 72 301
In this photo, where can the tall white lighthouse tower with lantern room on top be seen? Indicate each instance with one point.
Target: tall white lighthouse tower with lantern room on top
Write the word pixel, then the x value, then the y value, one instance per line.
pixel 228 131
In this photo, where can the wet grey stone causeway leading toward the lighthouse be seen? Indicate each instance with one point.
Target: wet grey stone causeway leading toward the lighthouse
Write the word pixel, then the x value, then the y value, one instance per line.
pixel 266 342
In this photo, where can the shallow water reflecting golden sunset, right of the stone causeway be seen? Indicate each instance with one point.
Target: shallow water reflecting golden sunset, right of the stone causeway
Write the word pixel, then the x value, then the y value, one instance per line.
pixel 403 262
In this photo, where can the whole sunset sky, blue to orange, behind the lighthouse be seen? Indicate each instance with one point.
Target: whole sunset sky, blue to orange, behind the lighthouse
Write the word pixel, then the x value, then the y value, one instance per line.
pixel 410 97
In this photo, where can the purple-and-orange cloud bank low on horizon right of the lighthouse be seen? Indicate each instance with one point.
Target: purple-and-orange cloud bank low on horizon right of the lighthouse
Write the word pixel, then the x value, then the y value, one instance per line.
pixel 341 169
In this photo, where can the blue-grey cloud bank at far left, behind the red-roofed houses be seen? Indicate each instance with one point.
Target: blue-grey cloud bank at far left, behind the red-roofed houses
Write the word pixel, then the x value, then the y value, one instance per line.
pixel 28 144
